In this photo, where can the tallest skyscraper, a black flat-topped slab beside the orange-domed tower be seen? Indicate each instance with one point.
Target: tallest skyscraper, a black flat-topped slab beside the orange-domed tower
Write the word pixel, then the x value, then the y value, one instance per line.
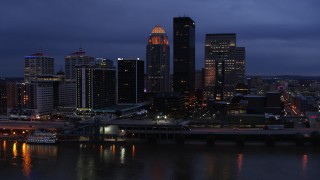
pixel 184 56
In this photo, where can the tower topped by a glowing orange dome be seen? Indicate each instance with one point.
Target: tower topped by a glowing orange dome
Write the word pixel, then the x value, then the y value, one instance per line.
pixel 158 61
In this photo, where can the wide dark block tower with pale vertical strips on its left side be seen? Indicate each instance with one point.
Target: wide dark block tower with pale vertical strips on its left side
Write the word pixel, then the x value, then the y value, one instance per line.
pixel 96 87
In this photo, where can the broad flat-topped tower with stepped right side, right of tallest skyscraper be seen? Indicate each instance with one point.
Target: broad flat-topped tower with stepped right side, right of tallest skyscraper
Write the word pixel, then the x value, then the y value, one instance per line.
pixel 224 66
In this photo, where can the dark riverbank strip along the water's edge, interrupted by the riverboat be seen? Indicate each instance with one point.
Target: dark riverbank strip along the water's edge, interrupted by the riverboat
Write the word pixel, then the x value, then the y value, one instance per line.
pixel 312 139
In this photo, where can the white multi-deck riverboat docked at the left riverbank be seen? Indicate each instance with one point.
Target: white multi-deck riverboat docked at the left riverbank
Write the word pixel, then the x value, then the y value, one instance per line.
pixel 39 137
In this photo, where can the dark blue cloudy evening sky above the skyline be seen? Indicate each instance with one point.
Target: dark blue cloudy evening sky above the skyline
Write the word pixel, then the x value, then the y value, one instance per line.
pixel 280 36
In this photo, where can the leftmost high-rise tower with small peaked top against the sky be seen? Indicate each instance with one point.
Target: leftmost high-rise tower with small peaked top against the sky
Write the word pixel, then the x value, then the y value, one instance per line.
pixel 37 64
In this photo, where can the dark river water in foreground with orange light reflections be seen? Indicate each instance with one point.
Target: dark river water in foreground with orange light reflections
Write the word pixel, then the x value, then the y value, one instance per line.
pixel 144 161
